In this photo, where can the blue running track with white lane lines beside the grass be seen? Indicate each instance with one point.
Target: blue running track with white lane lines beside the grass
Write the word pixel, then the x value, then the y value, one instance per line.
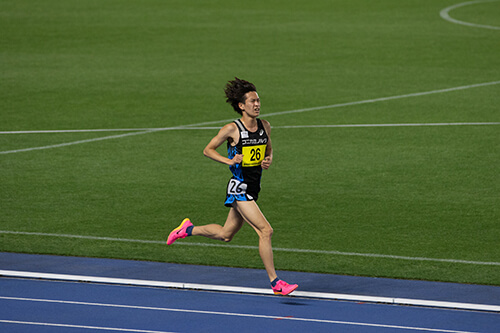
pixel 58 302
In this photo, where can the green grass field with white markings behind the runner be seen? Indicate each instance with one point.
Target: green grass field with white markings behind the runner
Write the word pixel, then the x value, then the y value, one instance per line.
pixel 333 194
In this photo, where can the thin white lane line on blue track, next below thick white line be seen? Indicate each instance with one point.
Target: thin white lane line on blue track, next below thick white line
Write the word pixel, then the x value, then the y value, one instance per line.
pixel 235 314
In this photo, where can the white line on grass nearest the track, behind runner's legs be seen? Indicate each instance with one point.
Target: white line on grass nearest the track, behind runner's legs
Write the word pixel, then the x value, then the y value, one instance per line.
pixel 250 247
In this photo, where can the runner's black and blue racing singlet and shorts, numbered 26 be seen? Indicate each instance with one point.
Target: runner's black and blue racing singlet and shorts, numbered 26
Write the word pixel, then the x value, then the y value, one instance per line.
pixel 245 183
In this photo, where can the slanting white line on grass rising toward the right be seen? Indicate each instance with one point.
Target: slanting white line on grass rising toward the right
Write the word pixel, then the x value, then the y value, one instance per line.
pixel 382 99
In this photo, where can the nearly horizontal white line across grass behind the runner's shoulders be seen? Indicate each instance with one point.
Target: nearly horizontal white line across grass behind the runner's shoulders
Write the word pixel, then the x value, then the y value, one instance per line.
pixel 284 126
